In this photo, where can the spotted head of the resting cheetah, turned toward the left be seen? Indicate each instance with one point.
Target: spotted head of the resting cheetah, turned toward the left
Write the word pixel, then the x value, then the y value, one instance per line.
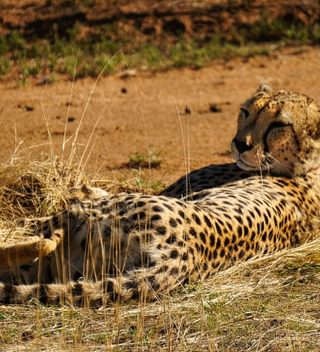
pixel 278 131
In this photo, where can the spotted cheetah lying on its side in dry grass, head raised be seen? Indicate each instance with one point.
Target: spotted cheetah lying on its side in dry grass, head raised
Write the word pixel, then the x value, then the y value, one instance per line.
pixel 136 246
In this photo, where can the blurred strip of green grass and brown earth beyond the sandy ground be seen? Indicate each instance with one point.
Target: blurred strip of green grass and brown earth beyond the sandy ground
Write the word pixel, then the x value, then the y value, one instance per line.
pixel 79 38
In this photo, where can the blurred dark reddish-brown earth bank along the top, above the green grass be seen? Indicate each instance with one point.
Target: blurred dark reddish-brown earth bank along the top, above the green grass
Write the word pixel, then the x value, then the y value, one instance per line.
pixel 160 20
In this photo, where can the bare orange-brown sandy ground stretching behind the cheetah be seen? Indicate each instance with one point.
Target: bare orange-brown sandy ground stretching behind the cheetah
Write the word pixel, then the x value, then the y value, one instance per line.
pixel 165 113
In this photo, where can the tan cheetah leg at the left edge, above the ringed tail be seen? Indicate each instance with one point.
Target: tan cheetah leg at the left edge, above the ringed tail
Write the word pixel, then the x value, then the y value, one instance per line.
pixel 23 253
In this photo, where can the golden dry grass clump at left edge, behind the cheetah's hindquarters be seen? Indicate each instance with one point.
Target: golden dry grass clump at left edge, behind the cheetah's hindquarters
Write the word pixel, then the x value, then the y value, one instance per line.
pixel 32 189
